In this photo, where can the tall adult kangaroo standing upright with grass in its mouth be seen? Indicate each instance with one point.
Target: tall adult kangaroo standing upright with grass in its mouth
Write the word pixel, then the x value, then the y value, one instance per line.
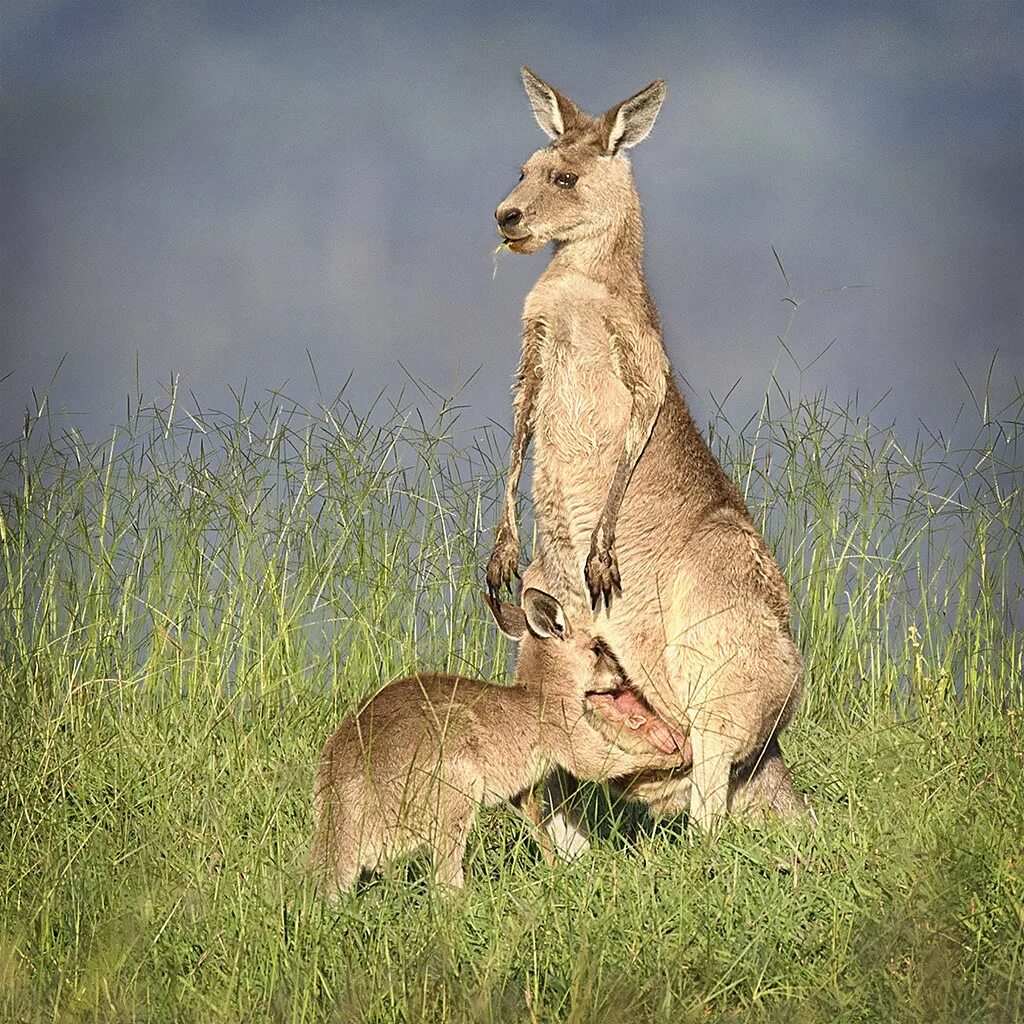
pixel 636 519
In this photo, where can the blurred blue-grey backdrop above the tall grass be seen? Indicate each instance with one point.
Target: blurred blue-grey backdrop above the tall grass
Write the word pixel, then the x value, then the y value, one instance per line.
pixel 224 193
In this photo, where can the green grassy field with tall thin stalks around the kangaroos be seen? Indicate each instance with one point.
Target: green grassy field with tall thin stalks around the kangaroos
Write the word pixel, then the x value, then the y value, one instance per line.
pixel 189 608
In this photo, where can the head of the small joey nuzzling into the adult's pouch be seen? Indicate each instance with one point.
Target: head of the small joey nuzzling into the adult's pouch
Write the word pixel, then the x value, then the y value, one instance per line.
pixel 556 657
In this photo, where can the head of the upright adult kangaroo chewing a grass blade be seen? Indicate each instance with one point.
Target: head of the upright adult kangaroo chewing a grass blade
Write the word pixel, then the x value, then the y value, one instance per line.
pixel 581 185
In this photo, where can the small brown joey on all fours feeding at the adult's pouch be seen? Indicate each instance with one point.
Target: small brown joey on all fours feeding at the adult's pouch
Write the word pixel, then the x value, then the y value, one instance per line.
pixel 412 767
